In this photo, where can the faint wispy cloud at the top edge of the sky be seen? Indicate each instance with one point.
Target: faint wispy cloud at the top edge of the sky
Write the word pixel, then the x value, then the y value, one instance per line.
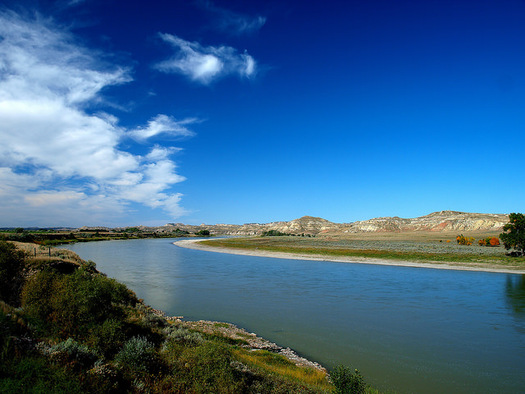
pixel 233 22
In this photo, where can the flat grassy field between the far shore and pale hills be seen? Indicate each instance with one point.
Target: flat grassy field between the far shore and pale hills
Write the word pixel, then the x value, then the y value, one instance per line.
pixel 396 247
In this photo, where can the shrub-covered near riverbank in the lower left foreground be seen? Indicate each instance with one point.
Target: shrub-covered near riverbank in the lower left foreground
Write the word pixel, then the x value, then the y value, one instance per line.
pixel 64 327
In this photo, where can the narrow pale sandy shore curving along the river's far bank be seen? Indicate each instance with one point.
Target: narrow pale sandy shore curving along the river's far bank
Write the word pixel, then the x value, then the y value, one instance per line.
pixel 194 244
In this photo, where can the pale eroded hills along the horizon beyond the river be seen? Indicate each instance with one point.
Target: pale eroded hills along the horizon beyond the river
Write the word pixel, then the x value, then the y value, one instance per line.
pixel 308 225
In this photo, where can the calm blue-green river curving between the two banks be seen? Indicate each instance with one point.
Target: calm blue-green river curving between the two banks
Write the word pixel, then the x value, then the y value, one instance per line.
pixel 410 330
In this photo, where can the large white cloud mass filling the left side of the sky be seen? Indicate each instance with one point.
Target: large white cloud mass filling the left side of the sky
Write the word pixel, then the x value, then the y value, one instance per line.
pixel 57 161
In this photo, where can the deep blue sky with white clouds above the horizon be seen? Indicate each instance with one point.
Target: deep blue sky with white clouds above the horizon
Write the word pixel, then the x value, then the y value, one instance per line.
pixel 130 113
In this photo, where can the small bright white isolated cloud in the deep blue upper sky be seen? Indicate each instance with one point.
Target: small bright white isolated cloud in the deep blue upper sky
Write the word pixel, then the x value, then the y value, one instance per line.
pixel 205 64
